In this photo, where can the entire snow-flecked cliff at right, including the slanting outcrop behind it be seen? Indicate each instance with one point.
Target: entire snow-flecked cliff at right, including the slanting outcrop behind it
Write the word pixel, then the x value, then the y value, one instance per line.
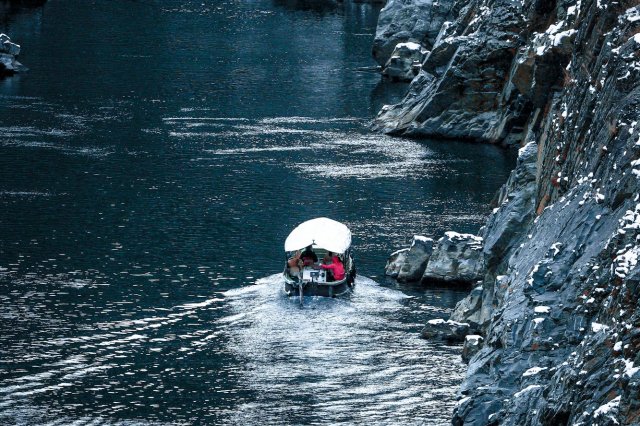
pixel 558 305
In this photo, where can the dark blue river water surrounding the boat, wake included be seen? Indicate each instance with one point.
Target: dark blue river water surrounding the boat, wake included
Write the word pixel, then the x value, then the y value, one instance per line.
pixel 152 163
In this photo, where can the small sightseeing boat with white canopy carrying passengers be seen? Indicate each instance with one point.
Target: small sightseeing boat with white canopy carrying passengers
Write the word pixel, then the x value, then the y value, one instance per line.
pixel 325 238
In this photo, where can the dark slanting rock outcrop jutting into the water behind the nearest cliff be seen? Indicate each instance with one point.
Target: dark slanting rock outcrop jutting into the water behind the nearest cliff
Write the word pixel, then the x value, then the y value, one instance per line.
pixel 489 73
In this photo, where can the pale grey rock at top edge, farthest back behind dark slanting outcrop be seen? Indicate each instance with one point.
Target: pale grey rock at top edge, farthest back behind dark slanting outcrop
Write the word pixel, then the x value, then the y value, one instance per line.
pixel 417 21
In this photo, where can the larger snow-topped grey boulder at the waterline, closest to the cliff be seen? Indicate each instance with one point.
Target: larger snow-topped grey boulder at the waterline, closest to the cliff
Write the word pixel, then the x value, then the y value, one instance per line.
pixel 456 258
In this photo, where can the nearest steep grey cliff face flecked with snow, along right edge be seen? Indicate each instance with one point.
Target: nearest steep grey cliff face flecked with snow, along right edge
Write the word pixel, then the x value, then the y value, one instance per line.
pixel 560 297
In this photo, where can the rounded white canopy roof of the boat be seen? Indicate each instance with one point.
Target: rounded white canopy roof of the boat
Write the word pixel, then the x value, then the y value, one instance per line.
pixel 321 232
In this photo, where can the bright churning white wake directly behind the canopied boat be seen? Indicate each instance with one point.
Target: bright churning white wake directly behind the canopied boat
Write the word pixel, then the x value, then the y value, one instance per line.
pixel 342 359
